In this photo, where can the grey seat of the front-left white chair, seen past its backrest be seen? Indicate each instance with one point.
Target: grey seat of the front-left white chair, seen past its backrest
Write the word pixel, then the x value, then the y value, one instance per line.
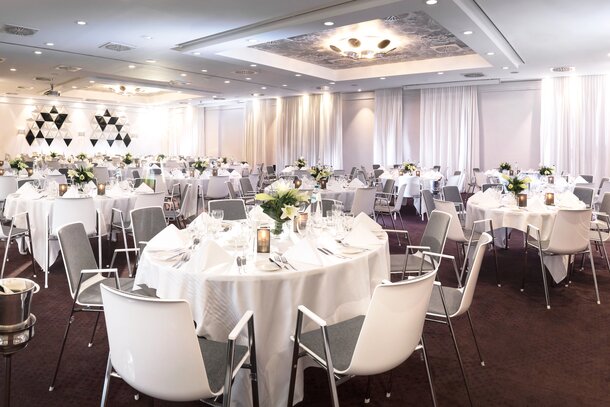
pixel 215 361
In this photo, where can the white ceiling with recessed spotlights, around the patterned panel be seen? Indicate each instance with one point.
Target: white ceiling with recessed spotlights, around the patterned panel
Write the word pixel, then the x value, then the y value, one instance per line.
pixel 184 37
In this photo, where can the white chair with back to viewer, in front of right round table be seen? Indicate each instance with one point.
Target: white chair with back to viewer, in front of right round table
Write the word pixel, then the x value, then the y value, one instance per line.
pixel 568 237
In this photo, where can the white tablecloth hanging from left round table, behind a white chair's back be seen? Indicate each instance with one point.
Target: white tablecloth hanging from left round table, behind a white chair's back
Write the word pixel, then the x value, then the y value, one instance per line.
pixel 40 209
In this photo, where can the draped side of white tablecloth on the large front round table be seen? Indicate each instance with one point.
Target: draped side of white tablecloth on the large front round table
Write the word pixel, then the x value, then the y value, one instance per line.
pixel 339 290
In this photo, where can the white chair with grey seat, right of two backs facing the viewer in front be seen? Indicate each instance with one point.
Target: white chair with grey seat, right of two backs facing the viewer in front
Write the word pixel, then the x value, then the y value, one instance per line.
pixel 370 344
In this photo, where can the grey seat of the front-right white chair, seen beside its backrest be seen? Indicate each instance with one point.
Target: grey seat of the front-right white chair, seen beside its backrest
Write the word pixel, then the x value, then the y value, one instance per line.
pixel 342 336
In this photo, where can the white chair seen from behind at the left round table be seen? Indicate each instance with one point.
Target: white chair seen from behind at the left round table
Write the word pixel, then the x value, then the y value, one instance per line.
pixel 72 210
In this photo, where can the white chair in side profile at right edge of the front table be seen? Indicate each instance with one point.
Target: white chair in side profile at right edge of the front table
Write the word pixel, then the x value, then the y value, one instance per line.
pixel 450 302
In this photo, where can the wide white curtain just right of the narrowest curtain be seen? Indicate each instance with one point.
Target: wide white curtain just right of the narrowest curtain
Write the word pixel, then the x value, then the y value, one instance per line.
pixel 449 124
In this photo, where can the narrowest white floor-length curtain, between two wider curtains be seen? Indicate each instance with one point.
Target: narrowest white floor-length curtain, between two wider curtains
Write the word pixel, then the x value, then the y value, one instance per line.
pixel 388 140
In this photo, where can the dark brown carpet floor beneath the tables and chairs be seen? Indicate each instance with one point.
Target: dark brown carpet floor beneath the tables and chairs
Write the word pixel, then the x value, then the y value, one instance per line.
pixel 534 356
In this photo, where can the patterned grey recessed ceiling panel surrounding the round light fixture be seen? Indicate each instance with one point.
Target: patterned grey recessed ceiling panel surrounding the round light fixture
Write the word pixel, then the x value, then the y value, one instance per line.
pixel 416 37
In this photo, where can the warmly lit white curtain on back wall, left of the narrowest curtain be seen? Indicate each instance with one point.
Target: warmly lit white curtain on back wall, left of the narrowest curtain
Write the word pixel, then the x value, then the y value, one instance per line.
pixel 310 126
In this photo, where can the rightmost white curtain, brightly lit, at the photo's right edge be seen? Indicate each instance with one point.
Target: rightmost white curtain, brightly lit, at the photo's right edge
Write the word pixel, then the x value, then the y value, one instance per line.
pixel 575 124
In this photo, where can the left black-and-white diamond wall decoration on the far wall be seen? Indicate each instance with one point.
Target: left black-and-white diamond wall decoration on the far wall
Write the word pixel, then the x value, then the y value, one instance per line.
pixel 47 124
